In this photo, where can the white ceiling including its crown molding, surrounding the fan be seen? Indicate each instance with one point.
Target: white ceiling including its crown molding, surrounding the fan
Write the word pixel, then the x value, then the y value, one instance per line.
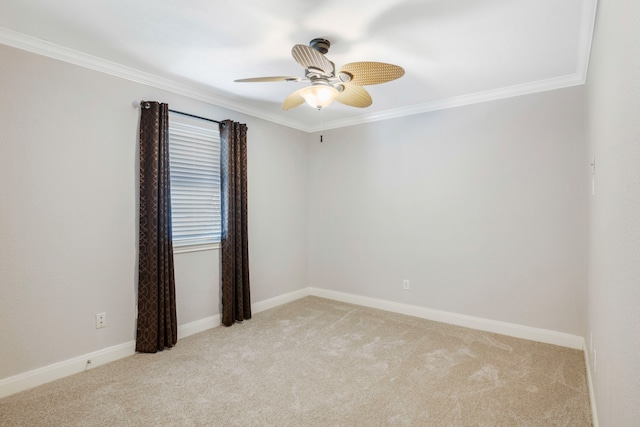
pixel 455 52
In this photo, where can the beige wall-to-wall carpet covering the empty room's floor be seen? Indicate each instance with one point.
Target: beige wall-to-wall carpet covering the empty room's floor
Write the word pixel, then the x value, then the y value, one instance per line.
pixel 316 362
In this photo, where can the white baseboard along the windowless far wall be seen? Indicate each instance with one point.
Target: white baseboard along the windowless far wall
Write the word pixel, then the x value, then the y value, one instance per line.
pixel 503 328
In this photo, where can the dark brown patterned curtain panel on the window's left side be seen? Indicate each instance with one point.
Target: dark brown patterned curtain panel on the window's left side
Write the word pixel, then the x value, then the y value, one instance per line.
pixel 157 325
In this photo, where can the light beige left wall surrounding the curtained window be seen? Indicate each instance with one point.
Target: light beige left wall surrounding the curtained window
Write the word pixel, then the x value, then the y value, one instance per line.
pixel 68 159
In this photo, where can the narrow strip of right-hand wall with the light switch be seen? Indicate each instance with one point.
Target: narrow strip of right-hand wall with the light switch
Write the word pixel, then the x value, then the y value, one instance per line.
pixel 613 105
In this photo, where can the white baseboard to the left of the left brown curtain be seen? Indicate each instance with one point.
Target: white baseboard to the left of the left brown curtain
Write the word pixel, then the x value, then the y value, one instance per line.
pixel 65 368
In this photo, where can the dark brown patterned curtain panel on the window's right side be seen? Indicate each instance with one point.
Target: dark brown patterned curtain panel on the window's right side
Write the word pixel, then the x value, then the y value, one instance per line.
pixel 236 298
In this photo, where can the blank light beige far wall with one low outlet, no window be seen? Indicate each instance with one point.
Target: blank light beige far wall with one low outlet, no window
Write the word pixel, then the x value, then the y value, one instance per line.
pixel 481 208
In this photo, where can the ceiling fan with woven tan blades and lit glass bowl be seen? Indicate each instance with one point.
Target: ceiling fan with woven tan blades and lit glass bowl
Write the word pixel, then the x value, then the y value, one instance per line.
pixel 345 86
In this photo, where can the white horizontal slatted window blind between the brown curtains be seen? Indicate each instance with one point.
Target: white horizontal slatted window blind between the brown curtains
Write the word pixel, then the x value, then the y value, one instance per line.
pixel 194 154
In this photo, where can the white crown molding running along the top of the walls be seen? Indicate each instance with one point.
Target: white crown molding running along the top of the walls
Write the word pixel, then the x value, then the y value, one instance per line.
pixel 205 94
